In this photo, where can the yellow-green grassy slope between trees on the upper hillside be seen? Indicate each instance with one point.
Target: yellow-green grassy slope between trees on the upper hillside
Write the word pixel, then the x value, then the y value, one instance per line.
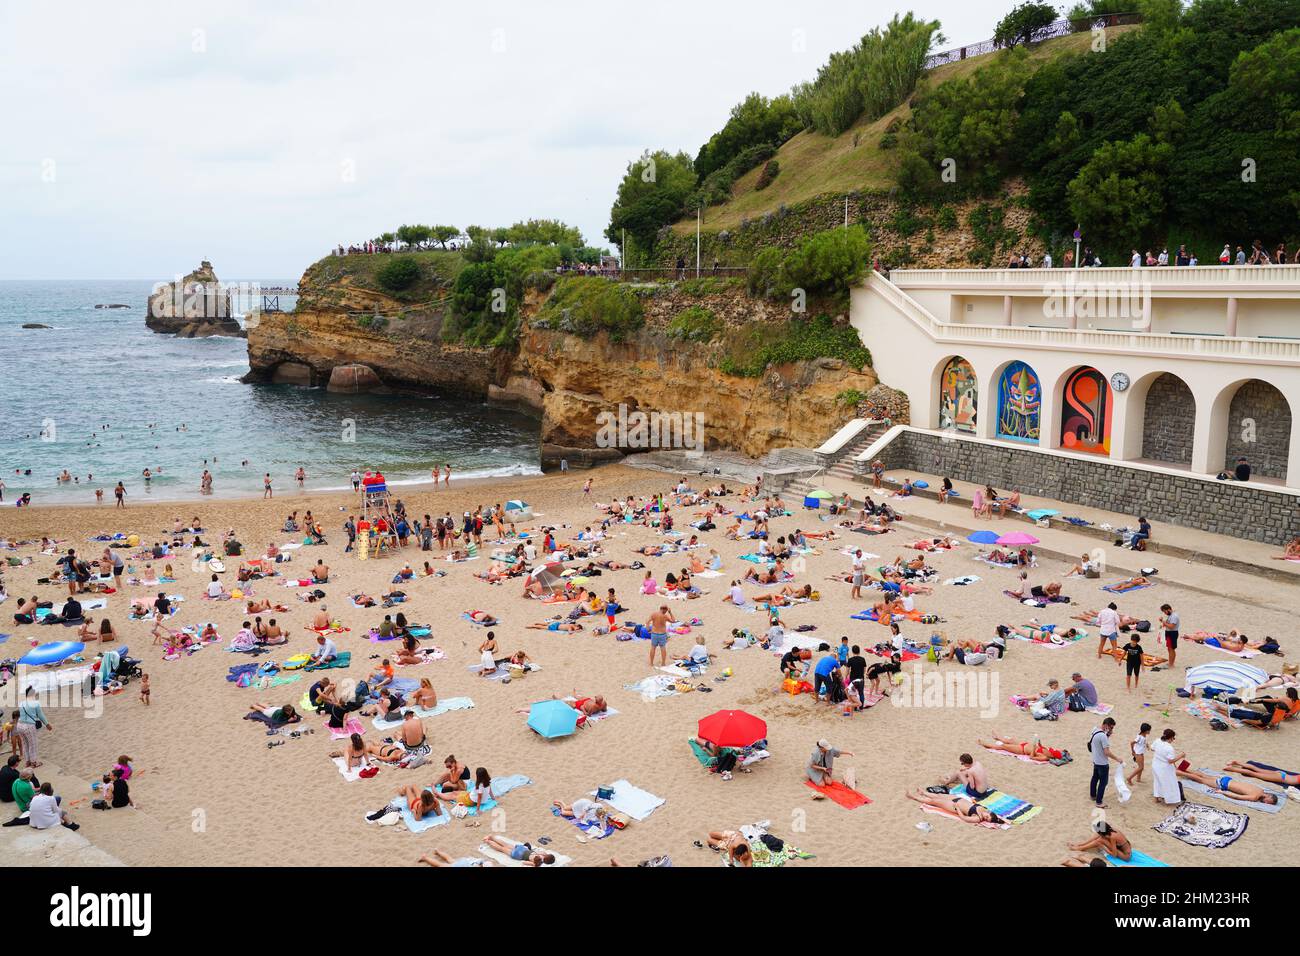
pixel 813 165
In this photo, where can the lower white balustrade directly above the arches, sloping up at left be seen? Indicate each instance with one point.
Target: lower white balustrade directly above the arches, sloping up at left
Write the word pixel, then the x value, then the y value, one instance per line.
pixel 1210 348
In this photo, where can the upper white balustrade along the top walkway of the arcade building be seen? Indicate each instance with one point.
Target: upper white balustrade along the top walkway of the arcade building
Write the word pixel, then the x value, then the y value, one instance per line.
pixel 1281 278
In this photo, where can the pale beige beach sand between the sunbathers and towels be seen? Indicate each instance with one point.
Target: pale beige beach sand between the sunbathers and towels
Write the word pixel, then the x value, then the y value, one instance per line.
pixel 211 793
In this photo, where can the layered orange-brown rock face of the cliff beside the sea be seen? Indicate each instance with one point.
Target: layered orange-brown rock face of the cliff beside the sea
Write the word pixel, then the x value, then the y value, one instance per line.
pixel 569 380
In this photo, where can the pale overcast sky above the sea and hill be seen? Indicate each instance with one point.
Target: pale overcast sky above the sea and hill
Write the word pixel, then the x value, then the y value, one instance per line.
pixel 144 137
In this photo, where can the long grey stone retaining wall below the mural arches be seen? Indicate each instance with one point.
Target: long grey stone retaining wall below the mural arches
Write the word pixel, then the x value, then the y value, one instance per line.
pixel 1224 508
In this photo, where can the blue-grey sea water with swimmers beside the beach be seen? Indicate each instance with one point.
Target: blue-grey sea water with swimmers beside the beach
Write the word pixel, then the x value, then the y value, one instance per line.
pixel 103 397
